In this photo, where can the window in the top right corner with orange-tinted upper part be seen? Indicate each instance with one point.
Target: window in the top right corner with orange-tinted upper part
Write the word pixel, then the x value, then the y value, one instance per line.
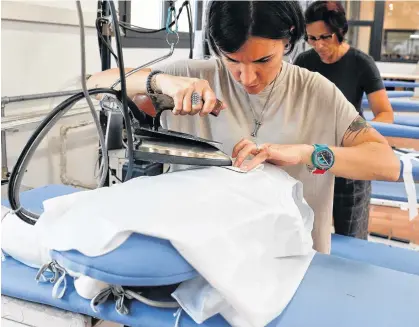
pixel 401 31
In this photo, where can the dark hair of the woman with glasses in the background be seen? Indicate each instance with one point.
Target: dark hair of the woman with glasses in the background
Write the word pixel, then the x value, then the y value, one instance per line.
pixel 331 13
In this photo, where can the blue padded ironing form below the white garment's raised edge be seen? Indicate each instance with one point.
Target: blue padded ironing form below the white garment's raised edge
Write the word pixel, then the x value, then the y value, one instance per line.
pixel 140 261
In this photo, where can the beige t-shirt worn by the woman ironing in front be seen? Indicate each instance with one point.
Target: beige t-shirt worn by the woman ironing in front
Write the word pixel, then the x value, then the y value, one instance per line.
pixel 305 108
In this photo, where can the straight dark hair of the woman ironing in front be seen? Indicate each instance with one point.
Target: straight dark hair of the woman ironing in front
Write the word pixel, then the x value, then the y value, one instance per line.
pixel 231 23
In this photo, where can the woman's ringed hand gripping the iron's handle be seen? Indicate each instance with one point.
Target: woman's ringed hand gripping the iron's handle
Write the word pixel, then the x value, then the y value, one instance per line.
pixel 181 89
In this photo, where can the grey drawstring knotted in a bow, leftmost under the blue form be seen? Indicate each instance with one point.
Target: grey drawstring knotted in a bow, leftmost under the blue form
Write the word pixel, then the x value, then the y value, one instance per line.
pixel 58 278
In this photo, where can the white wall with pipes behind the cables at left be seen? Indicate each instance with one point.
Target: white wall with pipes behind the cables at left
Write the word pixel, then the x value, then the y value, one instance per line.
pixel 40 52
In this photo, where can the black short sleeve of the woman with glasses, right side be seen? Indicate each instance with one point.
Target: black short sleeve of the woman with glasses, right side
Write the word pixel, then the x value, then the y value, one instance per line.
pixel 370 77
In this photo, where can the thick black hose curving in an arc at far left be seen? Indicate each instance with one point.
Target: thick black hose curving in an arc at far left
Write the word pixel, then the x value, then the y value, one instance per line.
pixel 30 147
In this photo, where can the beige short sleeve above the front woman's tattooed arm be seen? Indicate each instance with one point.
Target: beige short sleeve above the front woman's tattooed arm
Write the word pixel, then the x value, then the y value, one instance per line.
pixel 333 100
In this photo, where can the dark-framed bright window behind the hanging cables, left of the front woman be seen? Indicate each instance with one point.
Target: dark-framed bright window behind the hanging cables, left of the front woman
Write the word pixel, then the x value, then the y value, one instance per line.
pixel 152 15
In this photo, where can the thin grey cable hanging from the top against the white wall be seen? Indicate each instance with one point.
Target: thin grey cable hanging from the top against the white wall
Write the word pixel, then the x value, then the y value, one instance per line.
pixel 105 163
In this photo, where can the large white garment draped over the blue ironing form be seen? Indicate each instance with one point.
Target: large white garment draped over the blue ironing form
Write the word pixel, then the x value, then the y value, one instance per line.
pixel 230 226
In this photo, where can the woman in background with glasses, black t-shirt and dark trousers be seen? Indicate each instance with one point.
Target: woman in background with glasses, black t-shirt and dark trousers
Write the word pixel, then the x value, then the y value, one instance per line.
pixel 354 73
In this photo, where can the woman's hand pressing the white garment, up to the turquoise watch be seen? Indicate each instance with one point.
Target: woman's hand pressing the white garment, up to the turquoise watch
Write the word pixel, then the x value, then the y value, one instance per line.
pixel 277 154
